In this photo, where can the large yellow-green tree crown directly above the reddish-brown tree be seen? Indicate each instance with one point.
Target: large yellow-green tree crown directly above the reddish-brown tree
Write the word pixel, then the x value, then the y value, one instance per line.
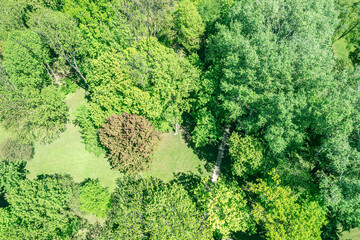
pixel 148 79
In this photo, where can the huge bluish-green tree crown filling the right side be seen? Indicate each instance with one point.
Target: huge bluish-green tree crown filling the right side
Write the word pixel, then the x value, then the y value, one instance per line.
pixel 272 77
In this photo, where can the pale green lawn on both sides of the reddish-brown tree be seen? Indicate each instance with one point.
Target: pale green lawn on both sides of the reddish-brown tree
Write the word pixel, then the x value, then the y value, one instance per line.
pixel 67 154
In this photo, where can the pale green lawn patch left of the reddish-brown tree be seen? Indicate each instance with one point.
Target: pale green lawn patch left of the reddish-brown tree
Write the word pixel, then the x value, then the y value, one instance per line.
pixel 67 154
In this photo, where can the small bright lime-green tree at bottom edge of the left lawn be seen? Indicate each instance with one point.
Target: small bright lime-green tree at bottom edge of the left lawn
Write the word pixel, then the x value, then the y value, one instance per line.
pixel 94 198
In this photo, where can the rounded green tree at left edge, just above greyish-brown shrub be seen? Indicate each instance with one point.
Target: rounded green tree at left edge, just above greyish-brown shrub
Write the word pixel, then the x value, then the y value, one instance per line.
pixel 35 114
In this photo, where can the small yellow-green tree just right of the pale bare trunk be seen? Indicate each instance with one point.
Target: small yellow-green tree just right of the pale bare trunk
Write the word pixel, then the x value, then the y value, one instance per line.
pixel 246 153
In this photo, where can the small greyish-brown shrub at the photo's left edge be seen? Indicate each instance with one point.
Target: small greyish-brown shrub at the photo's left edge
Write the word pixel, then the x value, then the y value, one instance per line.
pixel 12 149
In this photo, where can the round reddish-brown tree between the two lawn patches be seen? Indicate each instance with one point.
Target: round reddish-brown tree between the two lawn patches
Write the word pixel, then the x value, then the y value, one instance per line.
pixel 130 140
